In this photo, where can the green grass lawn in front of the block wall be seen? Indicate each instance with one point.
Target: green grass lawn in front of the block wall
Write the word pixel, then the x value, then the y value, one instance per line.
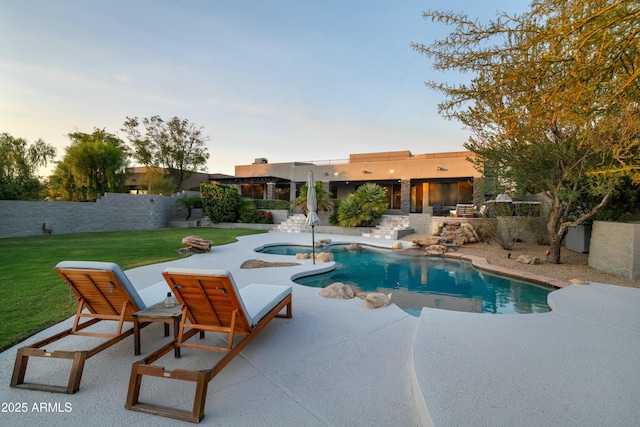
pixel 34 297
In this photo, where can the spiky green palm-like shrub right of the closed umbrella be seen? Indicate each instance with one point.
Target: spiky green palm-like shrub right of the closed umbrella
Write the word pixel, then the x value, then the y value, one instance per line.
pixel 368 204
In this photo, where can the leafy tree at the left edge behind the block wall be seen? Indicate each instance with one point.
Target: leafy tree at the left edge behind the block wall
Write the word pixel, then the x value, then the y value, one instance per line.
pixel 19 162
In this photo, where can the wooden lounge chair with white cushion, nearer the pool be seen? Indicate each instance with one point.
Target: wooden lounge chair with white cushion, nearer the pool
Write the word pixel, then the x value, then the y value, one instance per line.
pixel 210 301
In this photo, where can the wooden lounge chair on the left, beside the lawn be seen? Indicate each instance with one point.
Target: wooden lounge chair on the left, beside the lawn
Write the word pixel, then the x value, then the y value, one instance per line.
pixel 104 293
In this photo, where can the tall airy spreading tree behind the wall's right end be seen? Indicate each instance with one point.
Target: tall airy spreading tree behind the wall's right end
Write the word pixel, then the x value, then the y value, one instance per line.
pixel 177 145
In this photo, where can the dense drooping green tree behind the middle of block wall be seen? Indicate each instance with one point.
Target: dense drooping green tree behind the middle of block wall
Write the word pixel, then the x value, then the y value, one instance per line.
pixel 94 163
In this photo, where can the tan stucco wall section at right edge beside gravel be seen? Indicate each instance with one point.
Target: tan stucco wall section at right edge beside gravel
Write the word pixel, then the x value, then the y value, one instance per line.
pixel 615 248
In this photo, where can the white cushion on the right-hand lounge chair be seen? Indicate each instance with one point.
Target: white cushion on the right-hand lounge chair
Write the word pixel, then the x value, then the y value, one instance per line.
pixel 256 300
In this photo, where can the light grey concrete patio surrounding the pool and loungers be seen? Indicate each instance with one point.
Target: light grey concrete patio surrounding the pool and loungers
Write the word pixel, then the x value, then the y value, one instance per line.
pixel 336 363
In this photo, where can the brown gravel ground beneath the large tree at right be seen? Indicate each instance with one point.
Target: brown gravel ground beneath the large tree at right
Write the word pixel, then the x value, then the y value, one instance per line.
pixel 572 265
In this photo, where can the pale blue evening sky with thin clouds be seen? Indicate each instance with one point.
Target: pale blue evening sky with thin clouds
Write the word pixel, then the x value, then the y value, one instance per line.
pixel 286 80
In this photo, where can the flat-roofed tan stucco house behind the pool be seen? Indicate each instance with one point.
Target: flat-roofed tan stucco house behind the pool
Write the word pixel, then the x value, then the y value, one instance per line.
pixel 421 183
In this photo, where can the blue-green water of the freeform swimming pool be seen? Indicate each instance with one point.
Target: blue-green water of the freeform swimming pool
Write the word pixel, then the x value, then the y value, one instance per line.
pixel 422 281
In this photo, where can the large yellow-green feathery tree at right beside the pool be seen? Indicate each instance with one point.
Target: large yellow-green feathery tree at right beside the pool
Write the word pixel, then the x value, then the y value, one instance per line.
pixel 552 102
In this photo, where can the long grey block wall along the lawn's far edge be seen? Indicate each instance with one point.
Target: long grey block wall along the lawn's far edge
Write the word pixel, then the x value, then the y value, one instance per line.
pixel 111 212
